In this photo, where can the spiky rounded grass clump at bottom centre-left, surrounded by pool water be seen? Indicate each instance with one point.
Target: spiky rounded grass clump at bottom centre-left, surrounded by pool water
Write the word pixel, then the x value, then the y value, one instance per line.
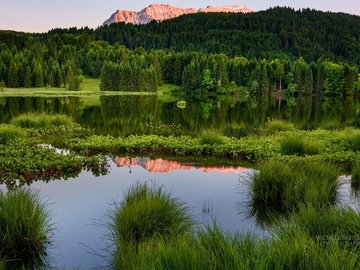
pixel 146 213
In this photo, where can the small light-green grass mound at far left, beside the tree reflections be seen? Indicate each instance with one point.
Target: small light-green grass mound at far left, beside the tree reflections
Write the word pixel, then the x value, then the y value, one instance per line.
pixel 34 120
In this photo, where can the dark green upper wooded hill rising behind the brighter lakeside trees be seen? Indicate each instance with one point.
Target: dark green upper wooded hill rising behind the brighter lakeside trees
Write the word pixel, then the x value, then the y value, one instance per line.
pixel 276 32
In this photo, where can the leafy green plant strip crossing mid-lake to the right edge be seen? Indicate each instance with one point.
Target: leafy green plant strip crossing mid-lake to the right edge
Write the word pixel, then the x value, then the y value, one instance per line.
pixel 340 147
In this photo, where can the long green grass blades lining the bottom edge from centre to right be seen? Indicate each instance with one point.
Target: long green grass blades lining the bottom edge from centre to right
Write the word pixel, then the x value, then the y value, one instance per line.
pixel 210 248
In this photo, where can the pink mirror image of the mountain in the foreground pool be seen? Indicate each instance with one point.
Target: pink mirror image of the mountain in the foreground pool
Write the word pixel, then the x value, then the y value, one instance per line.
pixel 160 165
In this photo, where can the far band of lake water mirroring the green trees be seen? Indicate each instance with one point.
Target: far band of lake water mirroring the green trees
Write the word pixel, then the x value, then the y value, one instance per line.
pixel 126 115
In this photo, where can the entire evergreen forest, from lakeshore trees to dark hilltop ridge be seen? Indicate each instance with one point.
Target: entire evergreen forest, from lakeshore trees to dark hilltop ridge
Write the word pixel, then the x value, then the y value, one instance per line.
pixel 305 52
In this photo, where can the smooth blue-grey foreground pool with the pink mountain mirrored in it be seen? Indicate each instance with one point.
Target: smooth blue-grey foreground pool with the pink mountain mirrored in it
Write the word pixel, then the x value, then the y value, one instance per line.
pixel 80 206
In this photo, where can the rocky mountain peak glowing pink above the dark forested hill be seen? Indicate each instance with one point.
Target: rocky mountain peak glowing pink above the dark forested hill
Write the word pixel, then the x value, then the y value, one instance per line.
pixel 160 12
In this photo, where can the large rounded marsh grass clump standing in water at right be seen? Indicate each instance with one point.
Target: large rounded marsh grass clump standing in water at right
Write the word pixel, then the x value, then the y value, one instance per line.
pixel 277 188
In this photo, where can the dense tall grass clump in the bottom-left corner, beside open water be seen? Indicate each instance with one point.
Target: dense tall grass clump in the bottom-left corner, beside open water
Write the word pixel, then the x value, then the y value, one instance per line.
pixel 24 229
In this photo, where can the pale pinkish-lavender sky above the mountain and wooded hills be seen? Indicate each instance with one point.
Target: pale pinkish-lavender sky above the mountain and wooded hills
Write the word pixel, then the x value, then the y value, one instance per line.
pixel 43 15
